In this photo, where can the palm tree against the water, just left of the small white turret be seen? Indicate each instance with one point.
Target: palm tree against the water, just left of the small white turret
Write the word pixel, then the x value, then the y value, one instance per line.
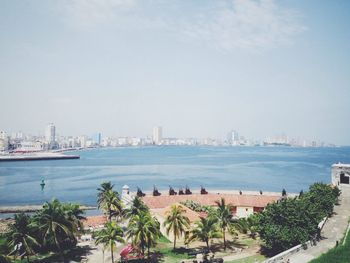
pixel 109 200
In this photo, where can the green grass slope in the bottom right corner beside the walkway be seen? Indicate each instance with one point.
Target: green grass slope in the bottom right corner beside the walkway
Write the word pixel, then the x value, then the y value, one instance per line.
pixel 339 254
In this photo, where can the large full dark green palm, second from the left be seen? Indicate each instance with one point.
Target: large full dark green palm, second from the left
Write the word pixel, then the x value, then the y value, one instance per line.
pixel 53 224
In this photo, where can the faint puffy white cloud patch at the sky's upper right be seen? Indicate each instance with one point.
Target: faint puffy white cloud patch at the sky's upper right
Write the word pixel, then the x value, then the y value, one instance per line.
pixel 245 24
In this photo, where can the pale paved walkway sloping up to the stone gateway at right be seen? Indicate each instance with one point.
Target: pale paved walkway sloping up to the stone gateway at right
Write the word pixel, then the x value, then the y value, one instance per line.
pixel 332 231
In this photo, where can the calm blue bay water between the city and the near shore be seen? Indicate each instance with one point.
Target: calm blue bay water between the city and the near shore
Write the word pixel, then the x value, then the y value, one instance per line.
pixel 246 168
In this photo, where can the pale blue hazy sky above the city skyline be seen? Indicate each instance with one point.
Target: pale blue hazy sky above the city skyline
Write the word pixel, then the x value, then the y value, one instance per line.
pixel 198 68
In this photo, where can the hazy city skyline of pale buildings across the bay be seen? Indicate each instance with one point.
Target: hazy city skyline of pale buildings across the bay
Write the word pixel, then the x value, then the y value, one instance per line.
pixel 52 140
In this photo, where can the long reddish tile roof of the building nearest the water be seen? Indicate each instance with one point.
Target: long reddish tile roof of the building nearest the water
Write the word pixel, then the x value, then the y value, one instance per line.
pixel 154 202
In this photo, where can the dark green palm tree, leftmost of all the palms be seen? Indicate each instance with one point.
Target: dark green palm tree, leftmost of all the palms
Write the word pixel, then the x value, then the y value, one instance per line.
pixel 21 234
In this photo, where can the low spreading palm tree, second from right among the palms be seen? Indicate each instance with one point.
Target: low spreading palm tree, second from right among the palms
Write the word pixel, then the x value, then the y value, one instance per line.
pixel 205 230
